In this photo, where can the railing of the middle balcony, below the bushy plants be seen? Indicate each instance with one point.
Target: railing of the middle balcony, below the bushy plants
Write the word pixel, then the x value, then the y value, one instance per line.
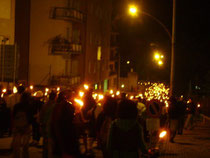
pixel 63 48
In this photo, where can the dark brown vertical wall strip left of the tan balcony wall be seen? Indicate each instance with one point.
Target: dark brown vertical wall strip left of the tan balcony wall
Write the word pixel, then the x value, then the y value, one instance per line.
pixel 22 29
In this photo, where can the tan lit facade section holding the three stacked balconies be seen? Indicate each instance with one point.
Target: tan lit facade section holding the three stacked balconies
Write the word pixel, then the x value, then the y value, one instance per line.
pixel 57 42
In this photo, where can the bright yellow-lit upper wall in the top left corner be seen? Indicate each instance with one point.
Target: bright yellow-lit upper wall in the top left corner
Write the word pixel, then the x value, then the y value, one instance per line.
pixel 7 20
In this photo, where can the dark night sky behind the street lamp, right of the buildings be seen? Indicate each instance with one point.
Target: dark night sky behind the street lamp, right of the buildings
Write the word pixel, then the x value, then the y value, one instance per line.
pixel 192 41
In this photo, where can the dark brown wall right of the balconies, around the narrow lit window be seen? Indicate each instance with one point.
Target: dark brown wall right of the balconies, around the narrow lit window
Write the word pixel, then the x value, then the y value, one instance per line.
pixel 98 35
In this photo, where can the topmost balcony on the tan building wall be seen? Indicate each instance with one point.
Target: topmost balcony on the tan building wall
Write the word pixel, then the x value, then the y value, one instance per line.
pixel 68 14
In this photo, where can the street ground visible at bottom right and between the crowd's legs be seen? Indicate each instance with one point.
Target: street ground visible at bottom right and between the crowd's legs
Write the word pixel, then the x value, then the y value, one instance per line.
pixel 192 144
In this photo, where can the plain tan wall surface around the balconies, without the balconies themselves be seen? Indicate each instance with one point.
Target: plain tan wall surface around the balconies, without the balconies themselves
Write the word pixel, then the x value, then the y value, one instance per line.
pixel 43 29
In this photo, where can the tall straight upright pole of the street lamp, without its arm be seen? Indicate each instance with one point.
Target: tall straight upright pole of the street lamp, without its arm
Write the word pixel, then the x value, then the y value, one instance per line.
pixel 173 49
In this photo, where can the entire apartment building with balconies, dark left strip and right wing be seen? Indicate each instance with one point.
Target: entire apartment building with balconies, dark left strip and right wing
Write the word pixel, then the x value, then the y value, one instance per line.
pixel 64 42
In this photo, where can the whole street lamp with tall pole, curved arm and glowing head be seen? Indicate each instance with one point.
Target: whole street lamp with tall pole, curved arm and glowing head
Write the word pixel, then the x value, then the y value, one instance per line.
pixel 133 10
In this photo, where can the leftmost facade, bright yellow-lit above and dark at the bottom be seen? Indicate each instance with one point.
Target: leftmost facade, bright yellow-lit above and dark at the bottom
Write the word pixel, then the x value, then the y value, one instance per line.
pixel 8 56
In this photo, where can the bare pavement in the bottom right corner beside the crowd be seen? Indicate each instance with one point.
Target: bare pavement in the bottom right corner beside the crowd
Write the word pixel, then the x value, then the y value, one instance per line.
pixel 192 144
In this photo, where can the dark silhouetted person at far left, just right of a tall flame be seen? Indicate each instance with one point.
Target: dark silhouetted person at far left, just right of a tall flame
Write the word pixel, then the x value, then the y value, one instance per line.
pixel 22 127
